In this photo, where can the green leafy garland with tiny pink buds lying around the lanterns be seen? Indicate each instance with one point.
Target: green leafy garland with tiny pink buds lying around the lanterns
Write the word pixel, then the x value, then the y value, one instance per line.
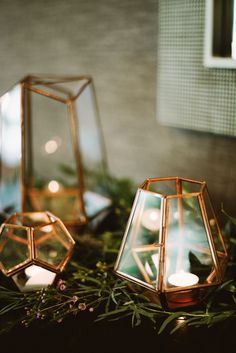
pixel 95 289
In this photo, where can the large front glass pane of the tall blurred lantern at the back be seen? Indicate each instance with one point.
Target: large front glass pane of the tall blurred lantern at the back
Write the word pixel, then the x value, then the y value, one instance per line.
pixel 53 181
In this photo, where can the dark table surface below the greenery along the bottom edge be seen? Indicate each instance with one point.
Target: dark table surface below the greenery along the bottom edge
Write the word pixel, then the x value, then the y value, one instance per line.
pixel 81 334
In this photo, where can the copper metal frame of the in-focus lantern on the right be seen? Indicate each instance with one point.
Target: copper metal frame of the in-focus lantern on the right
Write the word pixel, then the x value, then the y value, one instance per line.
pixel 159 291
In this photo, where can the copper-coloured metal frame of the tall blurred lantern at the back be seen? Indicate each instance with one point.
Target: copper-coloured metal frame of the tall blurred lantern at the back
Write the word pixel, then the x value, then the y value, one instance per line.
pixel 55 91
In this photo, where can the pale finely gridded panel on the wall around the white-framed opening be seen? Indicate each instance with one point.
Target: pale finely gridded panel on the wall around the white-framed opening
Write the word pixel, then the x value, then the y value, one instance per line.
pixel 189 94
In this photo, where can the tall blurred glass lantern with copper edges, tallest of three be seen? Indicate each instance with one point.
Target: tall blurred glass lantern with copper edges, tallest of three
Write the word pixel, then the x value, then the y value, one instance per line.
pixel 52 154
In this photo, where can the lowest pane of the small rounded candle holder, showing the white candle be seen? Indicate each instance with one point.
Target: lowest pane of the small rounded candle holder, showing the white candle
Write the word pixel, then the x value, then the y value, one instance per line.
pixel 33 278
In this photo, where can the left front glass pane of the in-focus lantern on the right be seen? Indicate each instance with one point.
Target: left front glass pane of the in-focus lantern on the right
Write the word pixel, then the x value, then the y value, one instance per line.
pixel 140 255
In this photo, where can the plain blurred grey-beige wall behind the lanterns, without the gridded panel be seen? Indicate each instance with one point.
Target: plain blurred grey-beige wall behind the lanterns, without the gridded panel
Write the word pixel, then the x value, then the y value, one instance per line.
pixel 115 41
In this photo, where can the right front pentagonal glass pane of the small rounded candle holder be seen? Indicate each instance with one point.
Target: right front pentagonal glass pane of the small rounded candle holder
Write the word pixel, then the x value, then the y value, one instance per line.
pixel 51 243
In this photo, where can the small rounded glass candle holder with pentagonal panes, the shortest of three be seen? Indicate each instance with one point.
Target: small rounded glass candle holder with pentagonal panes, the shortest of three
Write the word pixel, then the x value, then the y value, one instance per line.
pixel 34 247
